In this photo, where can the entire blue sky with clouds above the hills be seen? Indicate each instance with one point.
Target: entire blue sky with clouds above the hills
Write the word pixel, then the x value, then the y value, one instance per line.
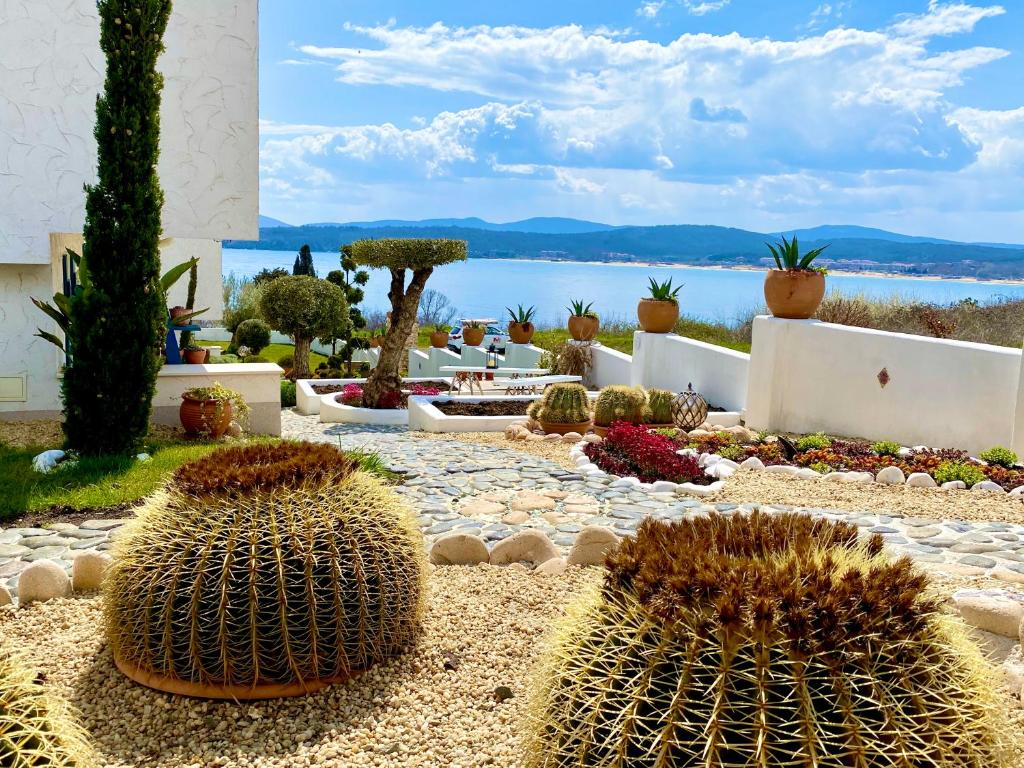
pixel 765 116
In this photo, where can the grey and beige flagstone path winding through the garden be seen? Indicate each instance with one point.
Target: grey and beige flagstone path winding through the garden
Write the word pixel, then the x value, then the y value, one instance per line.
pixel 494 492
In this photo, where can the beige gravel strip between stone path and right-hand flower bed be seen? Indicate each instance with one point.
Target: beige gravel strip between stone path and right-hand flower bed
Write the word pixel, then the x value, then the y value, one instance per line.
pixel 767 488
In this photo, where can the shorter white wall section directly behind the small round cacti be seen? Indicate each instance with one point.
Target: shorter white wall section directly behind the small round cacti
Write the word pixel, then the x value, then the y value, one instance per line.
pixel 671 362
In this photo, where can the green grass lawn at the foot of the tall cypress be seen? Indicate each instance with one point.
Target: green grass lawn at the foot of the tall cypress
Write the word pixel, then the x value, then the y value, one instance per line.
pixel 91 484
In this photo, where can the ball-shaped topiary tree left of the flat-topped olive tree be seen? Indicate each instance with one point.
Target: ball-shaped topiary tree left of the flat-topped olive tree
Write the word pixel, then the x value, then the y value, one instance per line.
pixel 304 309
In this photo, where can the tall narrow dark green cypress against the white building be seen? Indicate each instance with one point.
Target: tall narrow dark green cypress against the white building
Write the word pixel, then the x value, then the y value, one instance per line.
pixel 109 386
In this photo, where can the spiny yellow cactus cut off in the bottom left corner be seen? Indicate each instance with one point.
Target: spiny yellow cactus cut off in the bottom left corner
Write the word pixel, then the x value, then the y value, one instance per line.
pixel 37 731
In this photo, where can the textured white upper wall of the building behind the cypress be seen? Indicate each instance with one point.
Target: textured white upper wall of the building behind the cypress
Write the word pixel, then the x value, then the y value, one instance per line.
pixel 52 70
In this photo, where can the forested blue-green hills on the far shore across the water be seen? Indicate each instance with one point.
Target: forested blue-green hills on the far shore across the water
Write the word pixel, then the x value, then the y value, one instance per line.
pixel 682 244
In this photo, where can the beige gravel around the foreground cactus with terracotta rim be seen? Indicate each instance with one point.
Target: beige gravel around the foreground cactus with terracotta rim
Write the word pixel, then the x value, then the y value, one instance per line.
pixel 488 623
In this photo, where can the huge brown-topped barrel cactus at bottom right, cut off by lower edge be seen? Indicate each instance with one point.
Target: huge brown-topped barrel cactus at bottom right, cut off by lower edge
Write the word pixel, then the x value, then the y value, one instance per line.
pixel 761 642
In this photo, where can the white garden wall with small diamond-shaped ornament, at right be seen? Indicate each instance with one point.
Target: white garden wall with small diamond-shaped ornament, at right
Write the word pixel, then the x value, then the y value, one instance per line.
pixel 808 376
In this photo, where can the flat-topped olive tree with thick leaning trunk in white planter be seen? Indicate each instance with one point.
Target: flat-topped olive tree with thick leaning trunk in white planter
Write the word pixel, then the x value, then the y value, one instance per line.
pixel 398 257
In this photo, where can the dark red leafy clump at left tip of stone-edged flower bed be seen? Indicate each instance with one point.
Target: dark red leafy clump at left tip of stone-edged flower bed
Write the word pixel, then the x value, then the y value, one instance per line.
pixel 635 451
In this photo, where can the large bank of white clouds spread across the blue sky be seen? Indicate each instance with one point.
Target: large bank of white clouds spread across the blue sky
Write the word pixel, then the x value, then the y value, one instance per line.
pixel 704 125
